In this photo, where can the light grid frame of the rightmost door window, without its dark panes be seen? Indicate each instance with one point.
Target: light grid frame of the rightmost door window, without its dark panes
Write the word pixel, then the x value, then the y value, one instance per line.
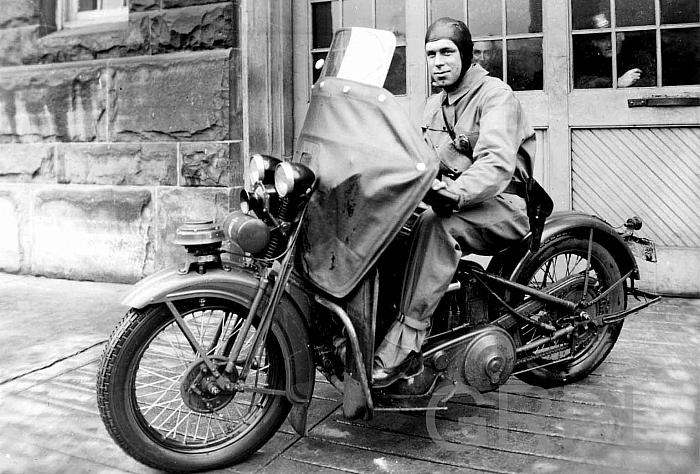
pixel 613 29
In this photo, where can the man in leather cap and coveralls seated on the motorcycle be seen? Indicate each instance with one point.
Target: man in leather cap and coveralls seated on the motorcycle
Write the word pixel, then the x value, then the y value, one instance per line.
pixel 486 148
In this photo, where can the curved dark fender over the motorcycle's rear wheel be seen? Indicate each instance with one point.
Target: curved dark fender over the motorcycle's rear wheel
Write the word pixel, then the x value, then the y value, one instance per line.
pixel 509 262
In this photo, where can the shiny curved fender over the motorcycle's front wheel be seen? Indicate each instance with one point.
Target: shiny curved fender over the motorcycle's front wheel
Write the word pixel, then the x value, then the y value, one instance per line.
pixel 290 327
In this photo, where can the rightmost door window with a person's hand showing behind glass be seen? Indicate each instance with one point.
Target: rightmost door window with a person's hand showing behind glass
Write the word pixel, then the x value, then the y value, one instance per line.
pixel 640 43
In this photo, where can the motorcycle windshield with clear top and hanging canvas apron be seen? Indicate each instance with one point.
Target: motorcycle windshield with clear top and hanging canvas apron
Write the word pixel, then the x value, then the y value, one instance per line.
pixel 372 165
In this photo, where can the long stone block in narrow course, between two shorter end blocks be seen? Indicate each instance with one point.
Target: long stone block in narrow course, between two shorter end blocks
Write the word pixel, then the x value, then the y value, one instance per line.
pixel 117 163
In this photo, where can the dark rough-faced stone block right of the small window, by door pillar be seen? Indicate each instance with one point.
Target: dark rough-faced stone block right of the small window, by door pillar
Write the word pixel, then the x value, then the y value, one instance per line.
pixel 198 27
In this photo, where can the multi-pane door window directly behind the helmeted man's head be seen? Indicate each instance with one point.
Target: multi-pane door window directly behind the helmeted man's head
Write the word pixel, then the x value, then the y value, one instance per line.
pixel 507 36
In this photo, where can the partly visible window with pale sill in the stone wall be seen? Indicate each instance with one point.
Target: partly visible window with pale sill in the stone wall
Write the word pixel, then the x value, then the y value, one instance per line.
pixel 79 13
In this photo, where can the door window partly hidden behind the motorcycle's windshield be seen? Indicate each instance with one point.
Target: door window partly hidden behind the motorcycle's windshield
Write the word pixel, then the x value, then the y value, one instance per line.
pixel 385 14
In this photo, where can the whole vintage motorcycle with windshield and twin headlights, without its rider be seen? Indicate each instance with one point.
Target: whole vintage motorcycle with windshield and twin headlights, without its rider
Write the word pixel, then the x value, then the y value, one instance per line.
pixel 214 355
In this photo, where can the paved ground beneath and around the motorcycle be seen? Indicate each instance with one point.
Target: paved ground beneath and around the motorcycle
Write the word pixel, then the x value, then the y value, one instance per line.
pixel 637 413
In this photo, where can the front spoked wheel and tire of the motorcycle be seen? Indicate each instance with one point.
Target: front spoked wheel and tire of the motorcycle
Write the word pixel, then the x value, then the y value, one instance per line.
pixel 146 411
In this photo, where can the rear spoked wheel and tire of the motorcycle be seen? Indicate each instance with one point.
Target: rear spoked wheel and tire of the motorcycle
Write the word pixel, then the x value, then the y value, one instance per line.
pixel 565 256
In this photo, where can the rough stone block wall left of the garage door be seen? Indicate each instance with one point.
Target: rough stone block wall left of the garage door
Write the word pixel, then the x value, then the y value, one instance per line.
pixel 112 136
